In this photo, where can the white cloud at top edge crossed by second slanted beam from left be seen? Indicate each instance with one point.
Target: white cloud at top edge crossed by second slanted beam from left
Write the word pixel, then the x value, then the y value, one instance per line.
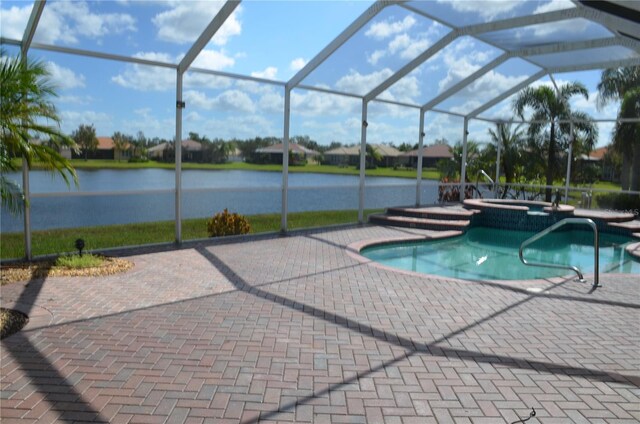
pixel 186 20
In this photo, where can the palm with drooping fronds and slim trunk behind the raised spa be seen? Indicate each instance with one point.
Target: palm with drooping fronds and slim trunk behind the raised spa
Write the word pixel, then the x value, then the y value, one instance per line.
pixel 549 108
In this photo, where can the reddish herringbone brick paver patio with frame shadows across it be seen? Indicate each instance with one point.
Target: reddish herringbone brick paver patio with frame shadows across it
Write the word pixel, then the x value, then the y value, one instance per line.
pixel 294 329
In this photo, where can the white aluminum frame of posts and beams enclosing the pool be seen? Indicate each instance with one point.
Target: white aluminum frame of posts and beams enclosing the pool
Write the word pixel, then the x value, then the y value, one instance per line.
pixel 626 33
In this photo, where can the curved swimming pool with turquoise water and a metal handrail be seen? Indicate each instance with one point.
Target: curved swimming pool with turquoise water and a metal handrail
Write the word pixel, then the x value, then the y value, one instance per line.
pixel 492 254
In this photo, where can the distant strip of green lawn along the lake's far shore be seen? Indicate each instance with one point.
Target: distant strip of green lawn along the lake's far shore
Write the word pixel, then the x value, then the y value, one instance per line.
pixel 428 173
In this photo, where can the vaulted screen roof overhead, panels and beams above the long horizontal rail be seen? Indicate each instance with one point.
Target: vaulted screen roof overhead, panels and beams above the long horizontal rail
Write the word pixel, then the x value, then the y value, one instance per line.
pixel 424 54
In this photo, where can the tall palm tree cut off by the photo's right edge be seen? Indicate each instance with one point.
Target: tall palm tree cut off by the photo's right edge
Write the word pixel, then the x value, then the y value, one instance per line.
pixel 622 84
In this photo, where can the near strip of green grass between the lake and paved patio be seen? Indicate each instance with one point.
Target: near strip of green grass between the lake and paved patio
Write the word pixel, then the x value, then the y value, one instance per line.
pixel 62 240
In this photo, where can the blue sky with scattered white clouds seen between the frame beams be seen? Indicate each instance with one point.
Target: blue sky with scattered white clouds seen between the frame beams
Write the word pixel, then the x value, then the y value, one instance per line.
pixel 274 39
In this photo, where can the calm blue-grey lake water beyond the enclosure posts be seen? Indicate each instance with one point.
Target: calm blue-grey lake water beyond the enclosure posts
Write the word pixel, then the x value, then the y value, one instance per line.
pixel 113 196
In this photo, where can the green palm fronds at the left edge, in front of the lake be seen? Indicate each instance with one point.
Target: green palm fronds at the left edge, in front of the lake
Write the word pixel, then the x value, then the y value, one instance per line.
pixel 25 113
